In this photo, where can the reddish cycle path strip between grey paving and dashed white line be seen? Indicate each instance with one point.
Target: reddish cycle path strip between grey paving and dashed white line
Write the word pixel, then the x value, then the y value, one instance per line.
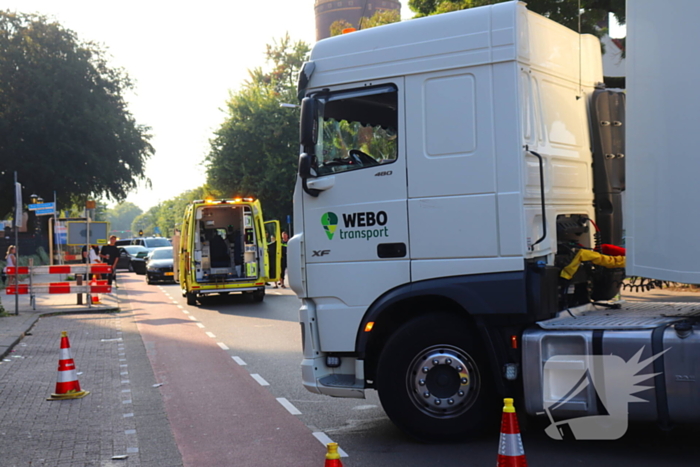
pixel 220 416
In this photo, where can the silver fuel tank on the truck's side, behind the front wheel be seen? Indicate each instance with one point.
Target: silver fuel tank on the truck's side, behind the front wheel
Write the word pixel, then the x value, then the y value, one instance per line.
pixel 602 362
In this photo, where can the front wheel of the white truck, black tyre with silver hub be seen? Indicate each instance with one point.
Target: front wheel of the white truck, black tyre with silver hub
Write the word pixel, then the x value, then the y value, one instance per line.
pixel 433 381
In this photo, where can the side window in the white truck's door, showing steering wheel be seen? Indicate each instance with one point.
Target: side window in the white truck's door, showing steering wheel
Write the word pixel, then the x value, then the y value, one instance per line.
pixel 357 129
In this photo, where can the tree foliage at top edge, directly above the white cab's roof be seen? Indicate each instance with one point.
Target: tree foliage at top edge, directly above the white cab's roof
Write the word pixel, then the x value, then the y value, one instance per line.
pixel 562 11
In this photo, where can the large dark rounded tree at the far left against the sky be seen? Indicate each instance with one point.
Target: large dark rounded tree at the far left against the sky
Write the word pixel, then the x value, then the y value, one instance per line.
pixel 64 124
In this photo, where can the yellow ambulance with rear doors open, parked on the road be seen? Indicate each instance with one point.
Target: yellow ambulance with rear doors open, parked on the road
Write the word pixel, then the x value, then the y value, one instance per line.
pixel 226 246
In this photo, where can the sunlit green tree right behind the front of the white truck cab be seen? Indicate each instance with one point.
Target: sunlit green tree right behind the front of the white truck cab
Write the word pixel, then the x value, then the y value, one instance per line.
pixel 255 151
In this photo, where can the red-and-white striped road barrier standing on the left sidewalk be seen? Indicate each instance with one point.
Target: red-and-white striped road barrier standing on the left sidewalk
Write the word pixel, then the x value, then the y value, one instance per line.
pixel 92 287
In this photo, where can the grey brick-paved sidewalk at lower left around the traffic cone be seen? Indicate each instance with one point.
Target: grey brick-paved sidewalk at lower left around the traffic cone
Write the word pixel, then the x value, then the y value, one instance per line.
pixel 122 421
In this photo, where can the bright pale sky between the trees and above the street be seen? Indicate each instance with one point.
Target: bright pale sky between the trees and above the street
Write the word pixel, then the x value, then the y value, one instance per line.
pixel 184 61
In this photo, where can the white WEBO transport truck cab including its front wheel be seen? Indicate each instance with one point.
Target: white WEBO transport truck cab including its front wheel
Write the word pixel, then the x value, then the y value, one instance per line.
pixel 451 167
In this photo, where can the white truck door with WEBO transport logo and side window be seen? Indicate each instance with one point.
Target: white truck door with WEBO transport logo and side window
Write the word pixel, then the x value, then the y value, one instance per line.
pixel 354 204
